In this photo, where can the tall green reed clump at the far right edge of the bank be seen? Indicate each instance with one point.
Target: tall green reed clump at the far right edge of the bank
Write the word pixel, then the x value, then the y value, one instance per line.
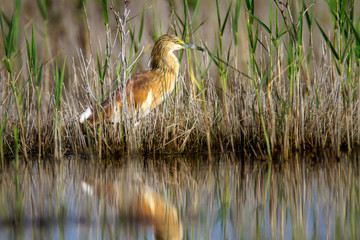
pixel 342 47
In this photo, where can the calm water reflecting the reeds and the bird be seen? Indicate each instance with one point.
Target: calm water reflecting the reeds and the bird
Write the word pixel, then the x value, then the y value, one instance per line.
pixel 311 197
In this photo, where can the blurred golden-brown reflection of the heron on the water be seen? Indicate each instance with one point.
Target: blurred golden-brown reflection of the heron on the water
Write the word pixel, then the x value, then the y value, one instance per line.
pixel 139 203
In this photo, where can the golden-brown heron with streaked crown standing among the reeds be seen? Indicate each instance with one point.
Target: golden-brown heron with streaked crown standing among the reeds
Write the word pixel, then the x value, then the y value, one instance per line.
pixel 147 89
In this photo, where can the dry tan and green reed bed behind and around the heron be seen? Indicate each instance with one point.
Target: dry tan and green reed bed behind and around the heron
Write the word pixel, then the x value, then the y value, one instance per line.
pixel 276 78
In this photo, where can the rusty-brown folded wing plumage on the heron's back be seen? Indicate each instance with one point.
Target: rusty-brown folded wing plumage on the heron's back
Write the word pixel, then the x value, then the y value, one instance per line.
pixel 138 87
